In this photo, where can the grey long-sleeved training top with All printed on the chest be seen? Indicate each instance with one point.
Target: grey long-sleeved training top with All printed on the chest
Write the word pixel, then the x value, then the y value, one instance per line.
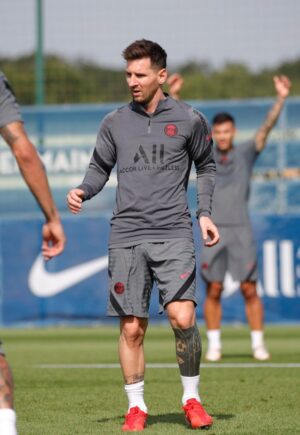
pixel 154 153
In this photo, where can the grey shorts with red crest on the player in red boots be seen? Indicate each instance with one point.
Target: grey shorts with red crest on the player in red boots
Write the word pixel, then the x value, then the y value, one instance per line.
pixel 133 270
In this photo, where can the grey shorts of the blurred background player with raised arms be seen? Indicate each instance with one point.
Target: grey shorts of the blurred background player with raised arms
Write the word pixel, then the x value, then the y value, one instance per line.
pixel 235 253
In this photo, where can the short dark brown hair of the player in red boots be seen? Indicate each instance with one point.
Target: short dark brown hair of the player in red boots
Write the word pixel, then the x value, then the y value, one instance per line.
pixel 144 48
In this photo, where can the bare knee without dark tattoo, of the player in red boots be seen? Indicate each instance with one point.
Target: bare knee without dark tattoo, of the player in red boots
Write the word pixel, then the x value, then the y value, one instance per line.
pixel 133 330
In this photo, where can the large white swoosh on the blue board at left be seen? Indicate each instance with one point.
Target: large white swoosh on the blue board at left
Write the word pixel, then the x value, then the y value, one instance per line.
pixel 44 284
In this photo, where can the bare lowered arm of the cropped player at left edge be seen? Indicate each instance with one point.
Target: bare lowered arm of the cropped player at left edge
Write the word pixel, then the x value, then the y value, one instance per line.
pixel 35 177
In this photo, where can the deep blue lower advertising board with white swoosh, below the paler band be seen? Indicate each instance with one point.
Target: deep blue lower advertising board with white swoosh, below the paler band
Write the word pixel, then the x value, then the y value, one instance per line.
pixel 74 286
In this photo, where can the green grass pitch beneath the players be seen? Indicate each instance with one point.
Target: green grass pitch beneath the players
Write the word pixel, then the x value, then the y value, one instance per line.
pixel 67 382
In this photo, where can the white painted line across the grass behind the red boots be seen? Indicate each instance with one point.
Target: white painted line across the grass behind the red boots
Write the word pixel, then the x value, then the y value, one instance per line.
pixel 174 366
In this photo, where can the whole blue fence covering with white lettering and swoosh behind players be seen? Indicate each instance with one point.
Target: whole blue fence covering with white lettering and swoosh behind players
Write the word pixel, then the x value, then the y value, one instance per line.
pixel 74 286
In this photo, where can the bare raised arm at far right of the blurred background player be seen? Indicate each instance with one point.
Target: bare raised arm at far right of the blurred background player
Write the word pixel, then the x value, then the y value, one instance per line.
pixel 282 86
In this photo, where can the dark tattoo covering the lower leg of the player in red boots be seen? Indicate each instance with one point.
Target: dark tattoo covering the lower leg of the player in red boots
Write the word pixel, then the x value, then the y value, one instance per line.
pixel 188 350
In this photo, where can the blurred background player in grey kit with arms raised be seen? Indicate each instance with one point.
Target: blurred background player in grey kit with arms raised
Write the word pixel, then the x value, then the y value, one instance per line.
pixel 236 251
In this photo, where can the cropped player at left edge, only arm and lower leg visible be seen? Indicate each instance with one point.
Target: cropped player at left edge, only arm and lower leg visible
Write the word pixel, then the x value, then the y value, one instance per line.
pixel 13 132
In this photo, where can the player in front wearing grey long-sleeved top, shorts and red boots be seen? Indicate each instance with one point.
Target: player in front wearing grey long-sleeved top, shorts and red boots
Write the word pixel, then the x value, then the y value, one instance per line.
pixel 153 140
